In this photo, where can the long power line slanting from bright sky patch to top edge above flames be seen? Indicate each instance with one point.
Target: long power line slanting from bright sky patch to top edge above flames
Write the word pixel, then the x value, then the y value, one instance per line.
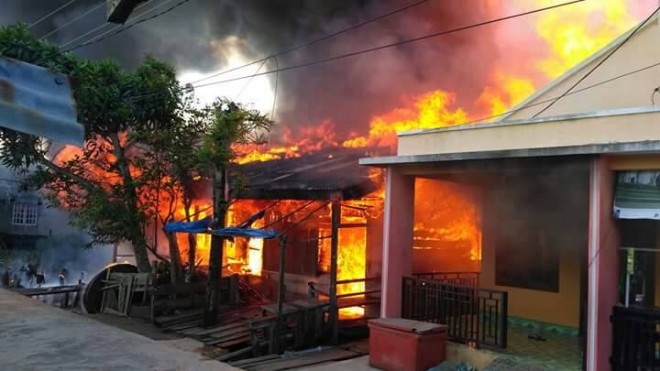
pixel 399 43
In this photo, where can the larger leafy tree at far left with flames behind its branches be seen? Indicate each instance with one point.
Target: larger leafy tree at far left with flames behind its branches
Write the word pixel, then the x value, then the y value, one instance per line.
pixel 104 184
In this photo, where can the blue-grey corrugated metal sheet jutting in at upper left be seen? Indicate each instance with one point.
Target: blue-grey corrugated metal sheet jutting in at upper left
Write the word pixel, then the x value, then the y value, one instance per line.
pixel 36 101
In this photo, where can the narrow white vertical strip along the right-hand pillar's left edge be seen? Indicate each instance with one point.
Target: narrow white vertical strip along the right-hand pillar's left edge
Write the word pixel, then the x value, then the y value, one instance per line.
pixel 594 225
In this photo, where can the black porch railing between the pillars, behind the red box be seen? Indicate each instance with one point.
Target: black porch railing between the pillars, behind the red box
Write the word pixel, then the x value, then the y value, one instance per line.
pixel 473 315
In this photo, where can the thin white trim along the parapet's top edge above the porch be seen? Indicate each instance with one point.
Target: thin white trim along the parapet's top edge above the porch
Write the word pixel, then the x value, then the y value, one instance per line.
pixel 539 120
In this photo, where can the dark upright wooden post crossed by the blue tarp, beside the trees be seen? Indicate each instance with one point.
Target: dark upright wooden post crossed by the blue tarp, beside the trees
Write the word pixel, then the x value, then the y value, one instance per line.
pixel 220 196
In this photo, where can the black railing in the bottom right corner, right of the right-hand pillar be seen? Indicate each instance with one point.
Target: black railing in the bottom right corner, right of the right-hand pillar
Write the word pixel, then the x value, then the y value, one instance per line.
pixel 635 338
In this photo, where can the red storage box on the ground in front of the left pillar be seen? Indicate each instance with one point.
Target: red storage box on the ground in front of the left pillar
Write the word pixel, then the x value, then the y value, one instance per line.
pixel 397 344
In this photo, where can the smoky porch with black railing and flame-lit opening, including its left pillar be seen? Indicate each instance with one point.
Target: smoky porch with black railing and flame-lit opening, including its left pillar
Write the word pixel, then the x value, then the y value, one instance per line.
pixel 519 236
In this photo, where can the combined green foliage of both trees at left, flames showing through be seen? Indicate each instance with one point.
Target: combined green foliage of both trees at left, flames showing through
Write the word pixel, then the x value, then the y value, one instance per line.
pixel 140 126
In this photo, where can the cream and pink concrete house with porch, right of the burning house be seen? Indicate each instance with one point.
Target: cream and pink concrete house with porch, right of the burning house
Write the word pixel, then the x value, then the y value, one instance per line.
pixel 567 188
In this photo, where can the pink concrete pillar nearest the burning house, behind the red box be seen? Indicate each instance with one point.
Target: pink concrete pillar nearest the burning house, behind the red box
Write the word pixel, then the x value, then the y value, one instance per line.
pixel 397 238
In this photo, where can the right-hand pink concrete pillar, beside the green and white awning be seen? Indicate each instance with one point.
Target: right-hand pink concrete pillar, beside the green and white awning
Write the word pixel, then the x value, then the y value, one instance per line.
pixel 602 265
